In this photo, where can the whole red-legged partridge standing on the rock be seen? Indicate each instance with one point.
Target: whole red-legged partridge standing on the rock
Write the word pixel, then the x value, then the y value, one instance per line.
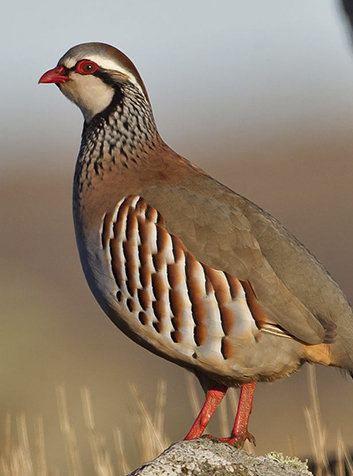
pixel 180 263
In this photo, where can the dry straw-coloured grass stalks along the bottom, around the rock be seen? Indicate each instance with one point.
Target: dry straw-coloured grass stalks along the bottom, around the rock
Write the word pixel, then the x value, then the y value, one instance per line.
pixel 19 458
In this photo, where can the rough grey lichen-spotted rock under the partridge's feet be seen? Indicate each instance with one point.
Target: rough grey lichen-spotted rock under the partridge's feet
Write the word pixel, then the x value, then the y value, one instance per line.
pixel 207 457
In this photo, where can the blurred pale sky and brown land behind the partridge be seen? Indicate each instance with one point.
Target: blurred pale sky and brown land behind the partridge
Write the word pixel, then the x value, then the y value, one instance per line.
pixel 260 95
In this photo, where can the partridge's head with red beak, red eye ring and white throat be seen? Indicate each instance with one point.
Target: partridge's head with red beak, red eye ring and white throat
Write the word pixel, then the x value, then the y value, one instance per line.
pixel 93 75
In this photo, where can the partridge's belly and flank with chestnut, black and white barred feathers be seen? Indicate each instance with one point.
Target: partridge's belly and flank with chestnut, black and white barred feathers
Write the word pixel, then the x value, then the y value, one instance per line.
pixel 158 294
